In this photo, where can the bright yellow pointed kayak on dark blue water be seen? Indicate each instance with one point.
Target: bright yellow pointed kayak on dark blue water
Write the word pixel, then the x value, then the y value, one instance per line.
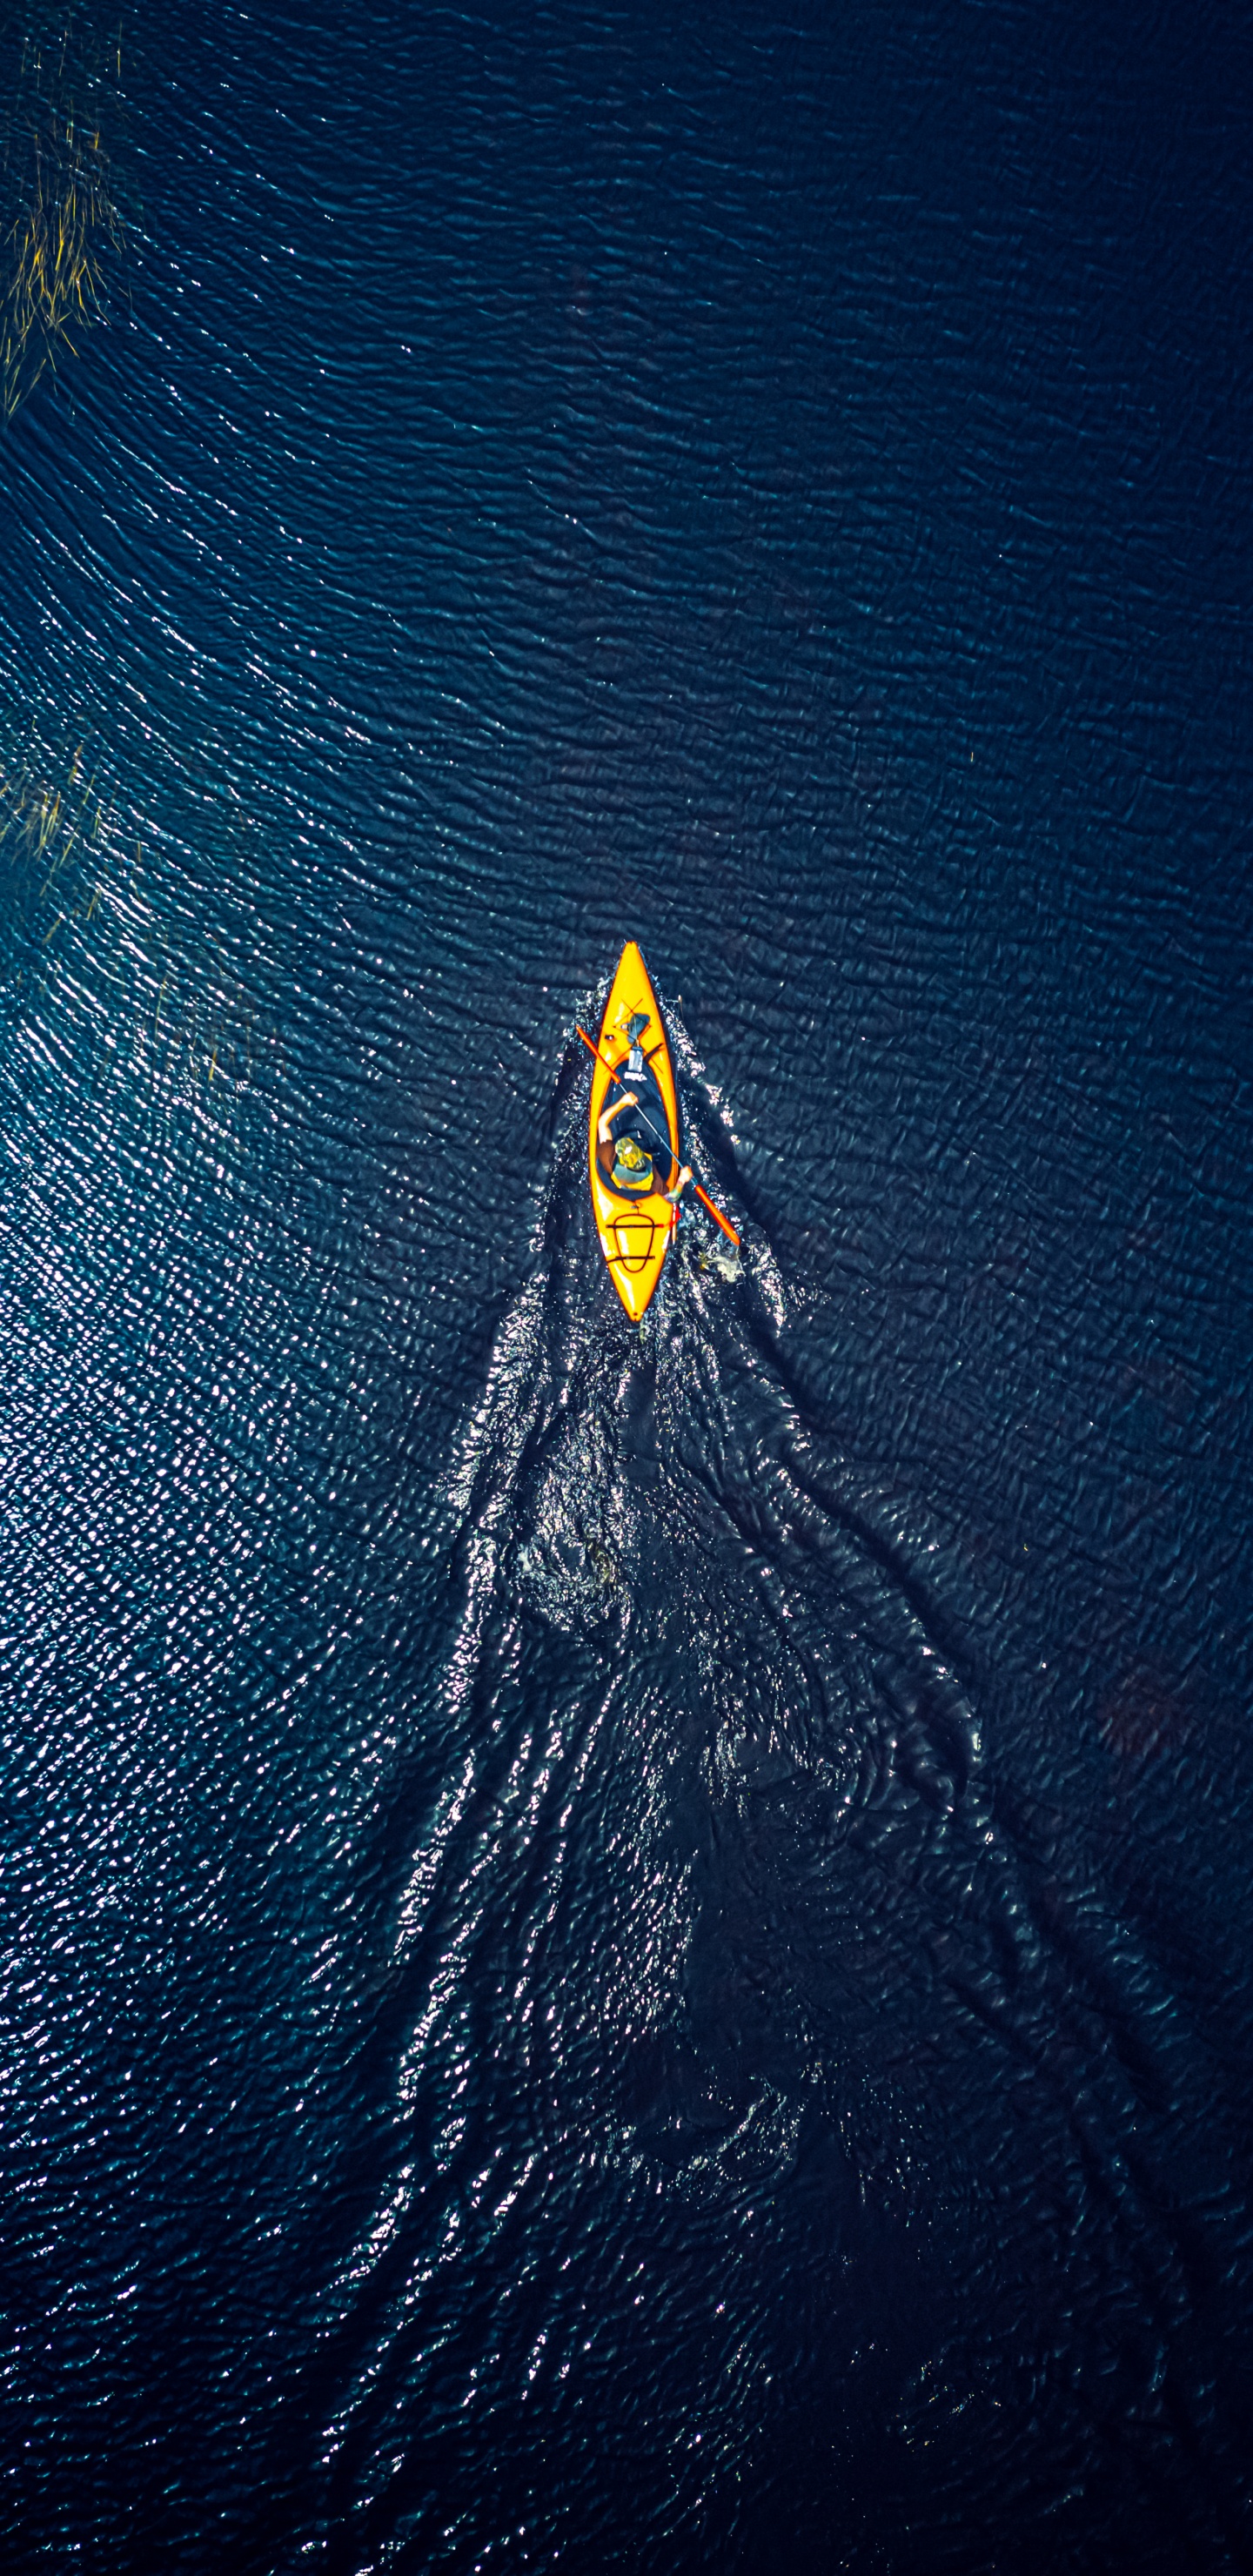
pixel 633 1135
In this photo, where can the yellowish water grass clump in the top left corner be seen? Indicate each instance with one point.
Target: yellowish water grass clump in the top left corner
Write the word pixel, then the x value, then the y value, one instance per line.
pixel 61 107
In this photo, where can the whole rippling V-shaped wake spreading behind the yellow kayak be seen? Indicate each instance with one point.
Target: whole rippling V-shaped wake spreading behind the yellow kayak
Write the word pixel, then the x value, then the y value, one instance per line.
pixel 715 1980
